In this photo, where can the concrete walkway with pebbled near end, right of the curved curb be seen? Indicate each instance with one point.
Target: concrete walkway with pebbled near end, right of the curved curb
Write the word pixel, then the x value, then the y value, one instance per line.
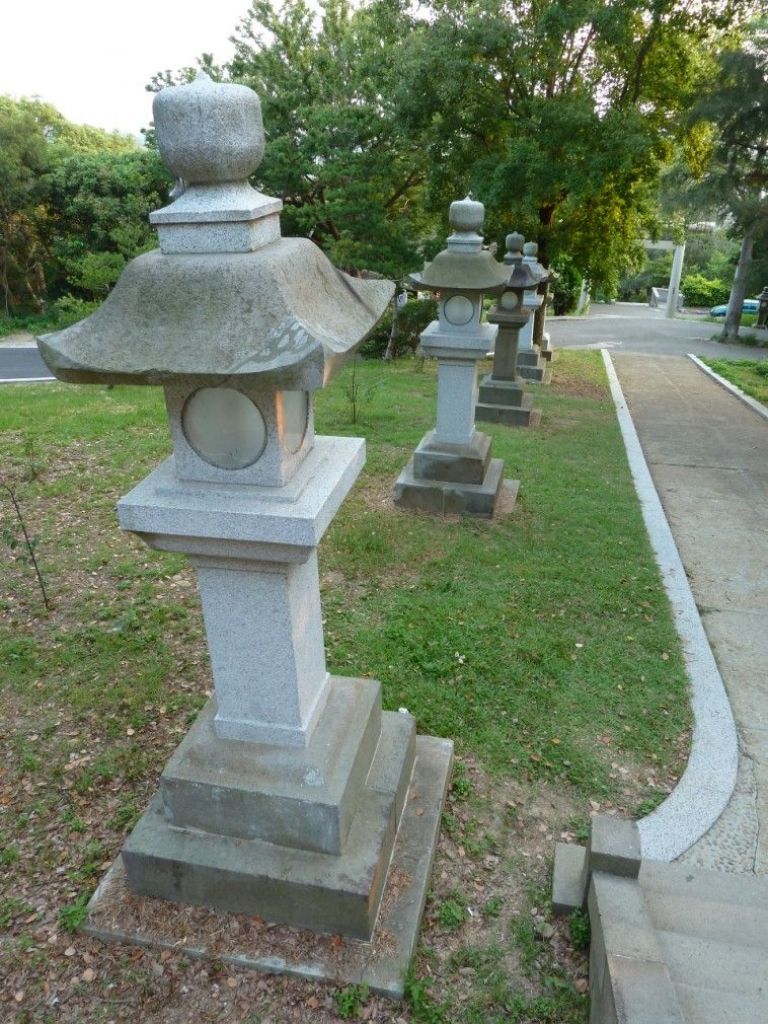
pixel 708 455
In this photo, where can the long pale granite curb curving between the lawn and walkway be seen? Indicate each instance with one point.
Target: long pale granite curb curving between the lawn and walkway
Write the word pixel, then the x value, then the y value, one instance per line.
pixel 710 778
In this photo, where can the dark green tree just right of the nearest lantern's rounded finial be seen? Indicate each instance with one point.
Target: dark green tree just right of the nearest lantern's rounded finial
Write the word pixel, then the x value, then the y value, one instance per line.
pixel 351 176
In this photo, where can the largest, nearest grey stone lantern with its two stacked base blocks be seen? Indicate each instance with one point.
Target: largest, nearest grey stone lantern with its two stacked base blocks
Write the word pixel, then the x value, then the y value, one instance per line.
pixel 286 797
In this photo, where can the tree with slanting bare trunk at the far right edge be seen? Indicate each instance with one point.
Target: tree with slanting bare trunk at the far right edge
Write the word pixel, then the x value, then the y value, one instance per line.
pixel 736 182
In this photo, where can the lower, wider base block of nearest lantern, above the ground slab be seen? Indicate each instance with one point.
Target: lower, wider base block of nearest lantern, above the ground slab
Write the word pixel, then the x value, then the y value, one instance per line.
pixel 325 892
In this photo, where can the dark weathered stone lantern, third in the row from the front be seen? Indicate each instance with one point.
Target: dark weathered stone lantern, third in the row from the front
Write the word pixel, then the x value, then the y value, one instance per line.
pixel 501 395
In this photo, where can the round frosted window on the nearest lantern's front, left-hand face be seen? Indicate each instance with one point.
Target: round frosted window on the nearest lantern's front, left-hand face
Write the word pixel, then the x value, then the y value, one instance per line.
pixel 225 428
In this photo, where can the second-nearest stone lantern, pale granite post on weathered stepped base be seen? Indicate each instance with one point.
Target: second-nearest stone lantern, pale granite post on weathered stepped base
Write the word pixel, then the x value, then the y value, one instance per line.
pixel 452 470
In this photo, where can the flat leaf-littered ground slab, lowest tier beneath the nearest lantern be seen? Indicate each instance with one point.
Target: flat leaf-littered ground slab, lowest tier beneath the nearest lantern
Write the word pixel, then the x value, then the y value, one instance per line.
pixel 115 914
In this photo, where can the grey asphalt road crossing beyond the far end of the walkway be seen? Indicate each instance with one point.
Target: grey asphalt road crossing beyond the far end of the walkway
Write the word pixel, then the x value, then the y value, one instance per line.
pixel 629 327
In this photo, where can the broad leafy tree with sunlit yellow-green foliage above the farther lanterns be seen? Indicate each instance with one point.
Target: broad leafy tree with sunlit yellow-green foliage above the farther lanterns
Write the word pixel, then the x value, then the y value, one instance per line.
pixel 560 114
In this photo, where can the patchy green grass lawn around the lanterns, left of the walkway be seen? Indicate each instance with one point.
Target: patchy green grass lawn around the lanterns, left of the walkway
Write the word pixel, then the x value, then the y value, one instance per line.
pixel 541 643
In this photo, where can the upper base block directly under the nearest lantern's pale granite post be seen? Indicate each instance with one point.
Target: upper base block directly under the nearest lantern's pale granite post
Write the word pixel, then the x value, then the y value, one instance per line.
pixel 298 797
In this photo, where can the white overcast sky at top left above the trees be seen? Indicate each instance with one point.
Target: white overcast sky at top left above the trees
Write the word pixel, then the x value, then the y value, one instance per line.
pixel 93 59
